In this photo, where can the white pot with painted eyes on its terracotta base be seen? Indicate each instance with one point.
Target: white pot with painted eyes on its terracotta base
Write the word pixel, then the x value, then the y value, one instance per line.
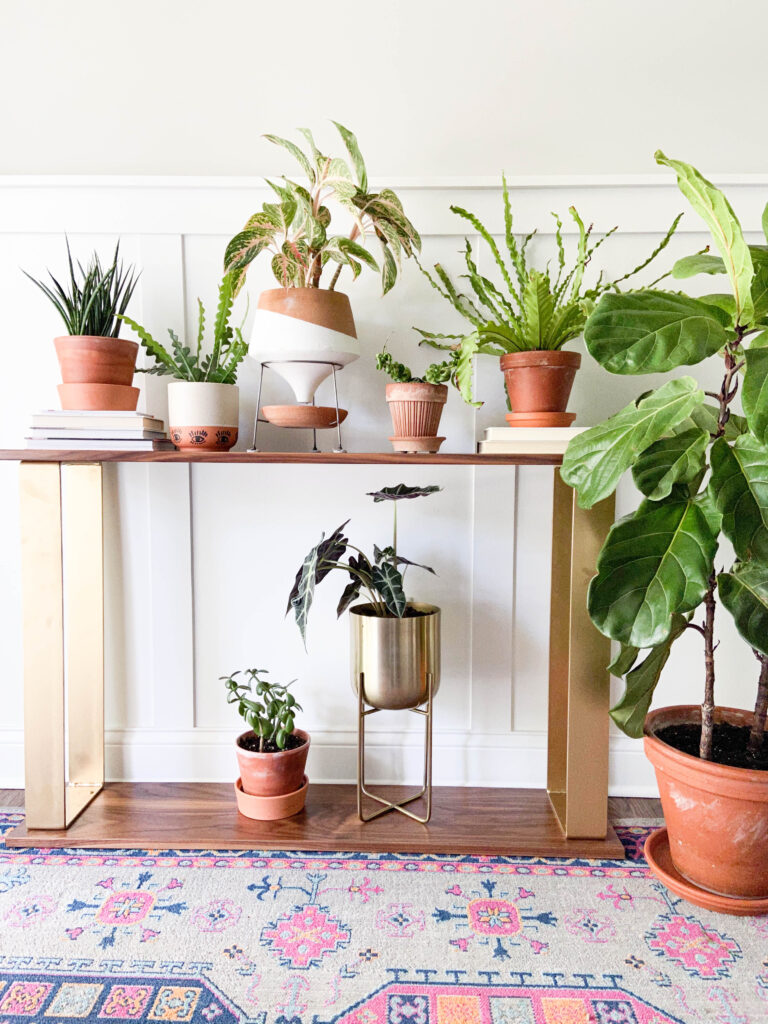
pixel 203 416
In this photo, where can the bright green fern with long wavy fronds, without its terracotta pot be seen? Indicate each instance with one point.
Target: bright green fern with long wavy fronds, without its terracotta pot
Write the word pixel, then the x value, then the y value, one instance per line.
pixel 530 309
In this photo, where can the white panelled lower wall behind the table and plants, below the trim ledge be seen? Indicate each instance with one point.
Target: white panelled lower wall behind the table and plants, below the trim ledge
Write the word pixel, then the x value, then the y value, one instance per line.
pixel 200 560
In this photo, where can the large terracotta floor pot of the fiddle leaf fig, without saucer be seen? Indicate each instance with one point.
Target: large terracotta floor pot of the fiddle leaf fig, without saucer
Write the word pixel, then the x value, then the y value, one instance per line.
pixel 717 817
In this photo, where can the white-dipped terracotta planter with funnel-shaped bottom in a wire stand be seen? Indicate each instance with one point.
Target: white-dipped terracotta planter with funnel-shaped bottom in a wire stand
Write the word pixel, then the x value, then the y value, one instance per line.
pixel 300 332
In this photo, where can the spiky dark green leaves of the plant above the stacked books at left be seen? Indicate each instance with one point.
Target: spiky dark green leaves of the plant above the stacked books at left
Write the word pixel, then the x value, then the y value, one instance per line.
pixel 95 298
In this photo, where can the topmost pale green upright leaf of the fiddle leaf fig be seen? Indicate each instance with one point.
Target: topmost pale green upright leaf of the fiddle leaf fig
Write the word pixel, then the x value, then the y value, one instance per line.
pixel 716 211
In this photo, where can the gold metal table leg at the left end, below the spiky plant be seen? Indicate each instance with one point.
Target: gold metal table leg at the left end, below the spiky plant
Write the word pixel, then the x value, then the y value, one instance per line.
pixel 63 607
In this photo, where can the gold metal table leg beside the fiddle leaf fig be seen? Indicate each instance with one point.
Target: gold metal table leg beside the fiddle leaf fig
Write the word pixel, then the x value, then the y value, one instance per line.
pixel 578 744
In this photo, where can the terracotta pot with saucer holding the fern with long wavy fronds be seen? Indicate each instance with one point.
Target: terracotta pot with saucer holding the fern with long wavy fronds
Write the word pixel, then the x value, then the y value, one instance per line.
pixel 540 381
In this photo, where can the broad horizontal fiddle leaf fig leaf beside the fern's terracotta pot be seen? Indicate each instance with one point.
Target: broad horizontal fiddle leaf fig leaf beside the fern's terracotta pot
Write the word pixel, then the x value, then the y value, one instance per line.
pixel 653 332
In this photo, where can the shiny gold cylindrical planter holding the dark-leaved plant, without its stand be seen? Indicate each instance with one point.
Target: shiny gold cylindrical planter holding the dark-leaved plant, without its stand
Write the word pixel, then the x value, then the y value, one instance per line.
pixel 395 657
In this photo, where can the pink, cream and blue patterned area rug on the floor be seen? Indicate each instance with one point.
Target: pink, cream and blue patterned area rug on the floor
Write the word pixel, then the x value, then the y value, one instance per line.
pixel 283 938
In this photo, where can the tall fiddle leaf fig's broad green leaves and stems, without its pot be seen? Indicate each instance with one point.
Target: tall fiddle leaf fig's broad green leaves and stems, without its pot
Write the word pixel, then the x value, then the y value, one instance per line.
pixel 703 470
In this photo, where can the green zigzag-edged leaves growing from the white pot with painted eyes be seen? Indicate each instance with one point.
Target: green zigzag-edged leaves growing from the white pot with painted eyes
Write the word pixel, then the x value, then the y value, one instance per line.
pixel 218 367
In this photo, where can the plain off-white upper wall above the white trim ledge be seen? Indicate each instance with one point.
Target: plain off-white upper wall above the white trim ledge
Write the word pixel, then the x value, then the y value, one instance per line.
pixel 433 88
